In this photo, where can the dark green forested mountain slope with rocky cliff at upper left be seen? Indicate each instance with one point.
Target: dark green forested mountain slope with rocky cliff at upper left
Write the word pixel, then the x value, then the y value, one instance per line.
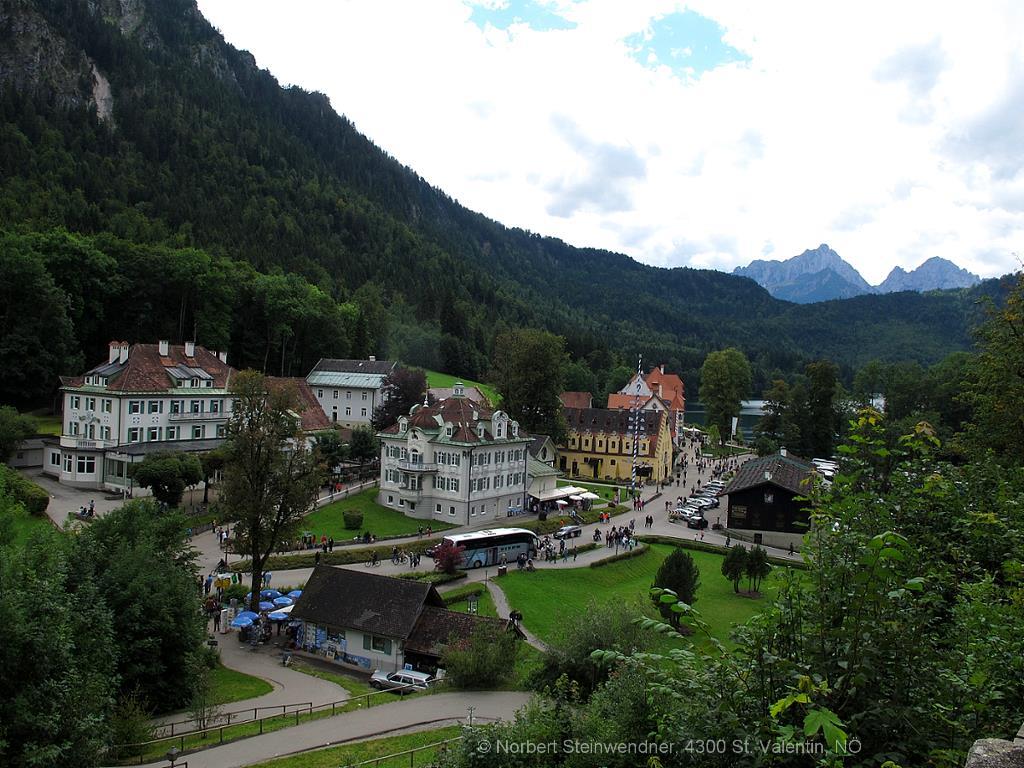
pixel 200 184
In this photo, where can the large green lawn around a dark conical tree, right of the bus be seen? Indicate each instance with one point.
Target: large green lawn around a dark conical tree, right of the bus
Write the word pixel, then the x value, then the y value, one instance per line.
pixel 547 598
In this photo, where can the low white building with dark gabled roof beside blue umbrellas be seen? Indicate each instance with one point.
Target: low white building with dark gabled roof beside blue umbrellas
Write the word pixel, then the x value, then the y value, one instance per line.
pixel 375 622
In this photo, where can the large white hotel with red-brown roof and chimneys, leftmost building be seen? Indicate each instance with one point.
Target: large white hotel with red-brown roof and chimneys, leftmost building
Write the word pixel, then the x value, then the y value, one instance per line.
pixel 145 399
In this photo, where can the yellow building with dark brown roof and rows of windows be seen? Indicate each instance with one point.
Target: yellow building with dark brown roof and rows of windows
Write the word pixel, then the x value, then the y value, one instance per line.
pixel 600 446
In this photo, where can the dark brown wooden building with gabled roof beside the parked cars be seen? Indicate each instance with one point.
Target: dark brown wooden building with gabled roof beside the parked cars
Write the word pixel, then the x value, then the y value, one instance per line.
pixel 763 499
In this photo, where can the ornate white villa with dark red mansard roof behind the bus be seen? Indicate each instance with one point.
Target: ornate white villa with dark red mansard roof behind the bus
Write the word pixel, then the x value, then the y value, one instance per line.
pixel 455 461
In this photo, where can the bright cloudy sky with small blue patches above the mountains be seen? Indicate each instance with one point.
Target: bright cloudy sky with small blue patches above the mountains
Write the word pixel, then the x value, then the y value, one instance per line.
pixel 700 134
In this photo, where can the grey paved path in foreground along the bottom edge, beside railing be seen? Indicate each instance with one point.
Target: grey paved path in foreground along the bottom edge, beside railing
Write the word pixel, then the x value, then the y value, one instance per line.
pixel 425 713
